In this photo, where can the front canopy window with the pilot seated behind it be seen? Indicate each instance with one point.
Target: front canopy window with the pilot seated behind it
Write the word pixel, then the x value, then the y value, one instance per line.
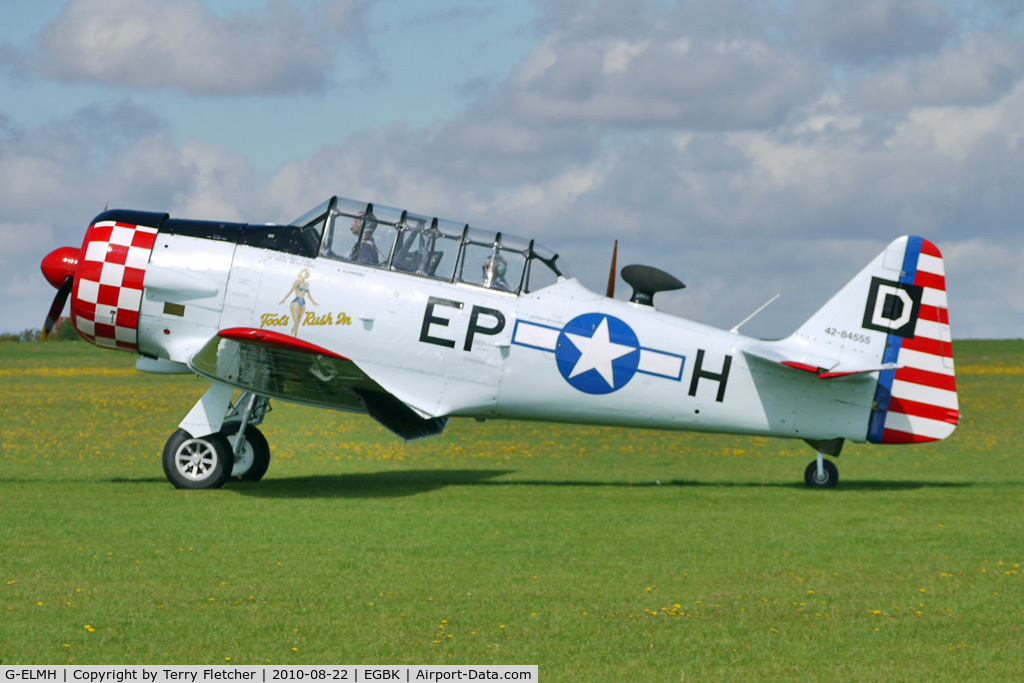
pixel 361 233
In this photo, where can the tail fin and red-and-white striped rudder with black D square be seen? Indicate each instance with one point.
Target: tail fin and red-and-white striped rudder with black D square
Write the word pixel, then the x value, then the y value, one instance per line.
pixel 892 318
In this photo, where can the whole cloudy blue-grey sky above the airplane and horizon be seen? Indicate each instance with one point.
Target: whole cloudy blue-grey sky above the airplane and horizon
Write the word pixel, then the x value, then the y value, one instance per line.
pixel 750 148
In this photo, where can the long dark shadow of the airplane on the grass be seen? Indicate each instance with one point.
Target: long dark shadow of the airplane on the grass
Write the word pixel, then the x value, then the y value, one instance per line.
pixel 411 483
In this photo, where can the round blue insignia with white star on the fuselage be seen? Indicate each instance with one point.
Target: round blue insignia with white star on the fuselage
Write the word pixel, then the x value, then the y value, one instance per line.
pixel 598 354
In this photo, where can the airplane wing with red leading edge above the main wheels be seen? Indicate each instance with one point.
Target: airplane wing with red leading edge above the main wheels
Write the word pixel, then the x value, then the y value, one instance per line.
pixel 278 366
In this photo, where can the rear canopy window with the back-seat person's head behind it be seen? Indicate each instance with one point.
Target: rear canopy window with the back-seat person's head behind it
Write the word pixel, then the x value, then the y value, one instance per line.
pixel 491 261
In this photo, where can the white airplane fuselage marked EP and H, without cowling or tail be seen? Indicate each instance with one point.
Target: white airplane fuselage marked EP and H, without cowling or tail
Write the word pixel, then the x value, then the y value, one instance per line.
pixel 560 354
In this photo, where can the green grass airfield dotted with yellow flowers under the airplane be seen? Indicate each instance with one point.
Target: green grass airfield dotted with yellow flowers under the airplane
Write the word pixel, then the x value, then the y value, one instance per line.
pixel 598 554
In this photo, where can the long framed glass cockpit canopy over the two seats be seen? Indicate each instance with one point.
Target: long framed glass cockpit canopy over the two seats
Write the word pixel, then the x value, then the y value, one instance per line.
pixel 391 239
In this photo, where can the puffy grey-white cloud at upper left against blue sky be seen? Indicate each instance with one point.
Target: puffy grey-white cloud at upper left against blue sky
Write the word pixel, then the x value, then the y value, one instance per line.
pixel 152 45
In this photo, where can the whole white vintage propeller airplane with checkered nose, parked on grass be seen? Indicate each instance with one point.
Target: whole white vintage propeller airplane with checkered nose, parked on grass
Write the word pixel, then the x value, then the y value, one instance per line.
pixel 415 320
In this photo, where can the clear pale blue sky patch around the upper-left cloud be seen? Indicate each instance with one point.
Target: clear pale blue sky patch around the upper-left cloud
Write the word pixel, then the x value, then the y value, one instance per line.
pixel 401 63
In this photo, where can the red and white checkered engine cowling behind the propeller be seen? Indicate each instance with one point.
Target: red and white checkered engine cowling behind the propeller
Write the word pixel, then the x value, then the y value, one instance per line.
pixel 108 290
